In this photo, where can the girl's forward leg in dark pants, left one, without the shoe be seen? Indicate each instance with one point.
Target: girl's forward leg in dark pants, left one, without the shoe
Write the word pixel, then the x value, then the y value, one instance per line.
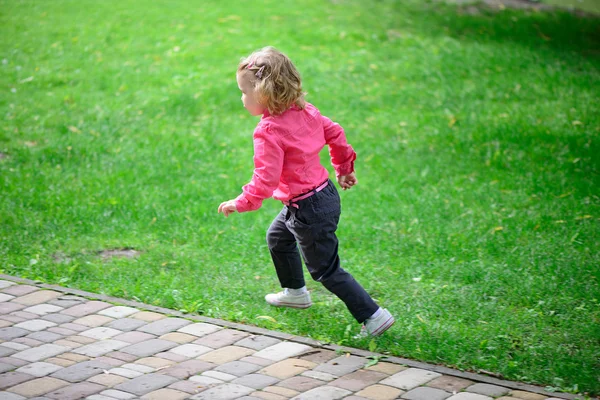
pixel 284 252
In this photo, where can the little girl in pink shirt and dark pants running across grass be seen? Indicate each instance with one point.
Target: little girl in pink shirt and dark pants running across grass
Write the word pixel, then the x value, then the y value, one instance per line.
pixel 287 142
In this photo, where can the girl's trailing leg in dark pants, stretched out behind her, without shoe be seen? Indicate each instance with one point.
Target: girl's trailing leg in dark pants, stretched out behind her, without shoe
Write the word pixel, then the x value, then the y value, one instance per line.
pixel 314 224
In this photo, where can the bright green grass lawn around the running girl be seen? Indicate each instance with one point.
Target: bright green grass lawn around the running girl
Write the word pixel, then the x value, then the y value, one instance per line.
pixel 476 216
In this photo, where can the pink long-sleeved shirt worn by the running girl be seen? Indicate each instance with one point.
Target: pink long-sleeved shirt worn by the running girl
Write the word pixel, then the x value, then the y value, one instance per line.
pixel 286 156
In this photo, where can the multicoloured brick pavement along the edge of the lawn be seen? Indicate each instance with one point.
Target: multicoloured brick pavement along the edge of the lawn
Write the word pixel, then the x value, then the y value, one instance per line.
pixel 64 344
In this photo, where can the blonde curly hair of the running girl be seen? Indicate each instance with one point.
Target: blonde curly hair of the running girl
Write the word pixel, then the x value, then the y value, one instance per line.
pixel 276 80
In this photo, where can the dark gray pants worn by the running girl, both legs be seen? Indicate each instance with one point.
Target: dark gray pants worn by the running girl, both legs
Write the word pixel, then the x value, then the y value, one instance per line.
pixel 311 227
